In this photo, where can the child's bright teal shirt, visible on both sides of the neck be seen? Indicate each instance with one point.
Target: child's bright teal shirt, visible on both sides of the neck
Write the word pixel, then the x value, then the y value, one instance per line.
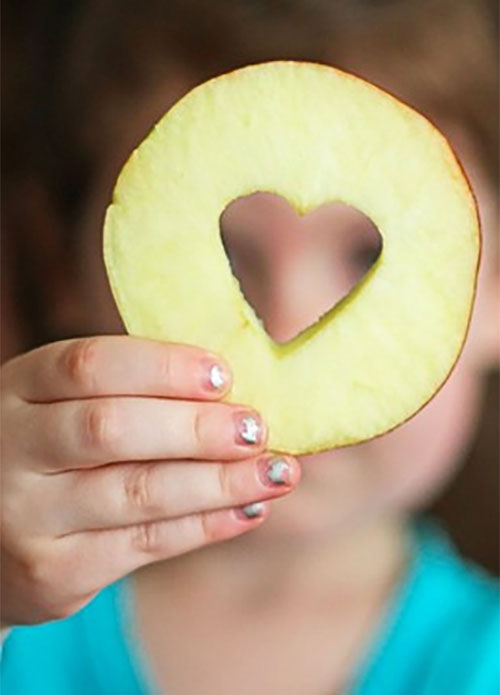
pixel 440 634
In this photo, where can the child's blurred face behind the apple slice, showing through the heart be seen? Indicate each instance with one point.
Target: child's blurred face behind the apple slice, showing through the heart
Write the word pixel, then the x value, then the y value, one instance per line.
pixel 292 271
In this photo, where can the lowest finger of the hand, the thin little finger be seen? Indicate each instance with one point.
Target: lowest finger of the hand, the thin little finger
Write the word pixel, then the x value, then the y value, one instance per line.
pixel 114 553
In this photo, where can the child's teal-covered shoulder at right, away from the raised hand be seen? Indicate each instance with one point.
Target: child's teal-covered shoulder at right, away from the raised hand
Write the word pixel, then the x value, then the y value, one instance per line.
pixel 442 633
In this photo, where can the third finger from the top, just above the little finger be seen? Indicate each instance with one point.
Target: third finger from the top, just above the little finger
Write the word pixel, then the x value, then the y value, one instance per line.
pixel 133 493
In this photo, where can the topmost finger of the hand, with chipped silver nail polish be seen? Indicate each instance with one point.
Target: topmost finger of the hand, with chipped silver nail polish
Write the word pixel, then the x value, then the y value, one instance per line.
pixel 117 365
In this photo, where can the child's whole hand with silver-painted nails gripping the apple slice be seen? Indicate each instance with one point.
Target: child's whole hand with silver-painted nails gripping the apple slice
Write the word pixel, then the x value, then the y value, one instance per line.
pixel 115 455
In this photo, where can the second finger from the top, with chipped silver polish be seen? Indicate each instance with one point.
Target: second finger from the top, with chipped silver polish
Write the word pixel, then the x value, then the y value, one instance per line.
pixel 87 433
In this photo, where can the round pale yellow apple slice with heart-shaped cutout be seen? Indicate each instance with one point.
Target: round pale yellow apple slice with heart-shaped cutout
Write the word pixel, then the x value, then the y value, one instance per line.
pixel 313 135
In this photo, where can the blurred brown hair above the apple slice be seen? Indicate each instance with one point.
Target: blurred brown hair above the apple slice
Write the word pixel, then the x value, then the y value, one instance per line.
pixel 438 54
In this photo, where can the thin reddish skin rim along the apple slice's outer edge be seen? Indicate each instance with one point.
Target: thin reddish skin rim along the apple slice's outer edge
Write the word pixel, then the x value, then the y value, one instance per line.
pixel 465 182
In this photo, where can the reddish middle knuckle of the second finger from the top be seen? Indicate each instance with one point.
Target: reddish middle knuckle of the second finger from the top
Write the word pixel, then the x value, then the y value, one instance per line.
pixel 100 427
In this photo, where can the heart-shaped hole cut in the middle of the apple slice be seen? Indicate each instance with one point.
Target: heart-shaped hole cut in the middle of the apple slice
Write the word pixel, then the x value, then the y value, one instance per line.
pixel 294 269
